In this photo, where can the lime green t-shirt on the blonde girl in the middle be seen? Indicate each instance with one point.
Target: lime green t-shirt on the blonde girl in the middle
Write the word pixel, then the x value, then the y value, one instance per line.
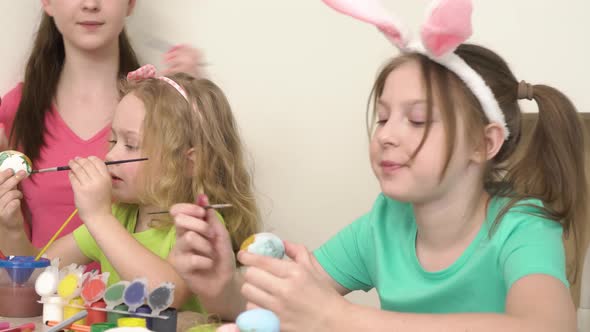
pixel 158 240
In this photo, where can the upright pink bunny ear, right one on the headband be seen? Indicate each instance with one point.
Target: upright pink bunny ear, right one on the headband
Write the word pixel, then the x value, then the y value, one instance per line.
pixel 448 25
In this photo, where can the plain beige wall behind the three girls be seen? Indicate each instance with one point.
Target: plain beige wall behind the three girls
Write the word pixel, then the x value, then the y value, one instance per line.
pixel 298 76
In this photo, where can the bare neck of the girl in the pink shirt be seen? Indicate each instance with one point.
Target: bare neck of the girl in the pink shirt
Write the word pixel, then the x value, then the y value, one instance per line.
pixel 90 72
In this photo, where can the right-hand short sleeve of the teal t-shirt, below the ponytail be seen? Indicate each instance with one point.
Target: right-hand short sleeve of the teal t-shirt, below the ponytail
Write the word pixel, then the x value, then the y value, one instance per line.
pixel 534 246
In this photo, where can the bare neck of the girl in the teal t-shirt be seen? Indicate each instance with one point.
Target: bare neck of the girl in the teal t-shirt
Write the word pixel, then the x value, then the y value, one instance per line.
pixel 455 218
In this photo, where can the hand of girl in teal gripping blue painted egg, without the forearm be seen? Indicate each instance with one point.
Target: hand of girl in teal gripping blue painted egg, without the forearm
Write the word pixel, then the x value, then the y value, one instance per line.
pixel 293 290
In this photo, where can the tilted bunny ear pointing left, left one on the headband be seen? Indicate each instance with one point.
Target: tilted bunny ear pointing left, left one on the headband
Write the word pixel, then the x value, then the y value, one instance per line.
pixel 370 11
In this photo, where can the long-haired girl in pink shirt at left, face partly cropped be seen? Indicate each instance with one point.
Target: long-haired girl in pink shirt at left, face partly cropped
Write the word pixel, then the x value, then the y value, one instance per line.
pixel 64 107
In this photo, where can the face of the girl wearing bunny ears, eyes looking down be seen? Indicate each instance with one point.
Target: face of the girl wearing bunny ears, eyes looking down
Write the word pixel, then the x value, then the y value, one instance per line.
pixel 401 119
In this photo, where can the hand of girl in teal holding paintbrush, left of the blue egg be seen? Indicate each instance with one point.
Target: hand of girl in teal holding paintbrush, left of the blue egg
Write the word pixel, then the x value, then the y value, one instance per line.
pixel 203 253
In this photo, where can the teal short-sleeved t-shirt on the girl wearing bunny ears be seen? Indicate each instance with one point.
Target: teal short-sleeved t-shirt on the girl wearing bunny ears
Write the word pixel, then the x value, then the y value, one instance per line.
pixel 378 251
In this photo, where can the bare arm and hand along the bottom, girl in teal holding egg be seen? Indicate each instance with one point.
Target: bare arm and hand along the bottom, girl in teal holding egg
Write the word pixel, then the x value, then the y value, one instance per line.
pixel 536 302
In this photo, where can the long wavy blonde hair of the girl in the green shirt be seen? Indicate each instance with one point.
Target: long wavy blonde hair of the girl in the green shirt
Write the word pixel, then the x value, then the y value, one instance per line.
pixel 206 124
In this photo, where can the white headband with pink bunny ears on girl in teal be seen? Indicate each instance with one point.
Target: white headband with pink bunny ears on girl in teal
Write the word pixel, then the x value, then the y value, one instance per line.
pixel 448 24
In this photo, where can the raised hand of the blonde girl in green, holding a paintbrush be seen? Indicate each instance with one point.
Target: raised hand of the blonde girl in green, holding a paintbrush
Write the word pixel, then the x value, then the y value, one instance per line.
pixel 91 183
